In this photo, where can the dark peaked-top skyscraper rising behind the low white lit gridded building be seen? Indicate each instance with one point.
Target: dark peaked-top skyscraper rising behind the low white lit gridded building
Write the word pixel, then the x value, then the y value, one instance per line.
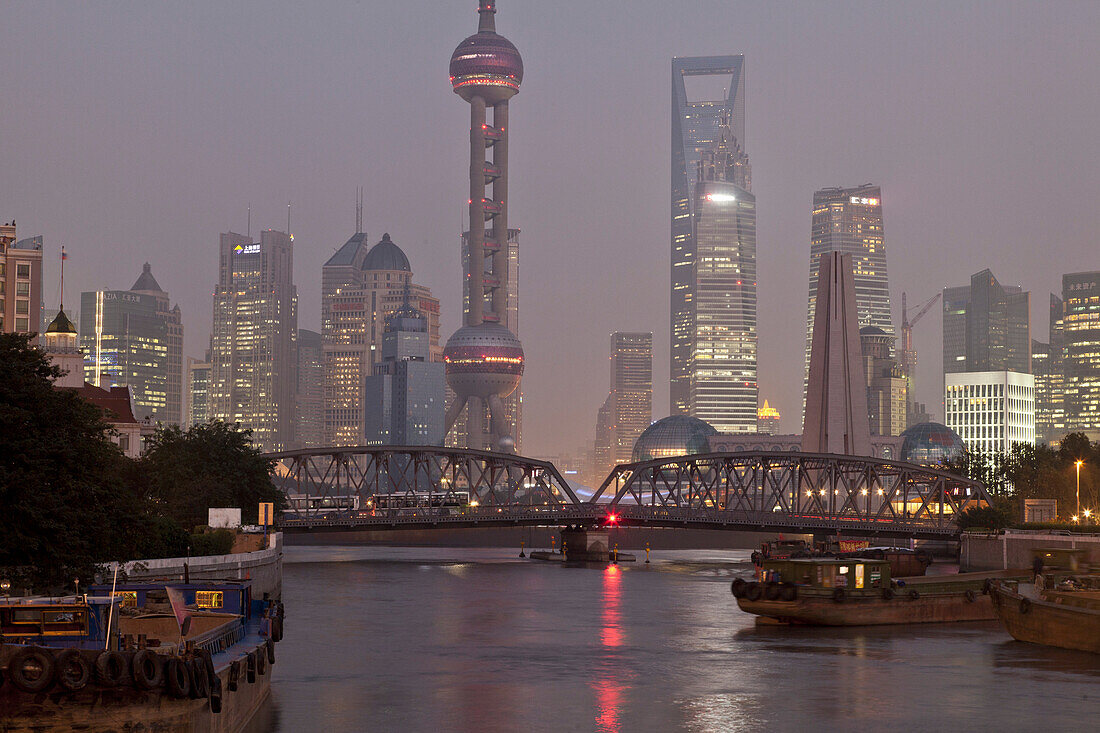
pixel 987 327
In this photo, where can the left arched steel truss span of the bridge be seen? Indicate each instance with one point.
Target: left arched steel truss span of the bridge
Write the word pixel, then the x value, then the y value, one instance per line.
pixel 489 479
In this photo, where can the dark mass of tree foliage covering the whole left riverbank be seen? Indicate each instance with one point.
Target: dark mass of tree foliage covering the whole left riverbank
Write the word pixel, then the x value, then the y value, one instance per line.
pixel 71 500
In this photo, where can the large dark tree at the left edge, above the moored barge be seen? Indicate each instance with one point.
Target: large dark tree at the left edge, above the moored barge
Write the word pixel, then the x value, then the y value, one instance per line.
pixel 65 501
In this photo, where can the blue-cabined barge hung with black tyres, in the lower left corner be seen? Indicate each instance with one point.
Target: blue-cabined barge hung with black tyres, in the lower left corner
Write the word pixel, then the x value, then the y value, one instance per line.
pixel 129 662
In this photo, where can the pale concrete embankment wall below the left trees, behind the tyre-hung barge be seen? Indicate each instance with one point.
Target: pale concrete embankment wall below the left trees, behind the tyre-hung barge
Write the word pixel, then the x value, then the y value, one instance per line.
pixel 263 567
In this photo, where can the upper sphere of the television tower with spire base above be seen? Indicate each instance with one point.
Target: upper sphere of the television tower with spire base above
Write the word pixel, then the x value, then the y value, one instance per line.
pixel 487 64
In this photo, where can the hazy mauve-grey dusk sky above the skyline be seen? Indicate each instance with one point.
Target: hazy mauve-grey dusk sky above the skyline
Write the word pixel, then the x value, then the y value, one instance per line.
pixel 135 132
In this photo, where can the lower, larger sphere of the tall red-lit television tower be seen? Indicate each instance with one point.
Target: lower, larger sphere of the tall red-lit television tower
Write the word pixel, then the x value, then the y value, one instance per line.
pixel 483 362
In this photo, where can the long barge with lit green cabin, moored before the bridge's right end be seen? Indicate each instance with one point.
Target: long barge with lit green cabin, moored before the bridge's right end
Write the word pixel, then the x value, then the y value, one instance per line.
pixel 862 593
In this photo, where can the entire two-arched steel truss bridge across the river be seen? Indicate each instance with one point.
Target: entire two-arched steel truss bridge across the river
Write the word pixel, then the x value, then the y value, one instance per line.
pixel 426 487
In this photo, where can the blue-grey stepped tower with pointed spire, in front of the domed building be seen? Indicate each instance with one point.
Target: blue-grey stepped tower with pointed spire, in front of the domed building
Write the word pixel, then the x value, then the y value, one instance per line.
pixel 405 397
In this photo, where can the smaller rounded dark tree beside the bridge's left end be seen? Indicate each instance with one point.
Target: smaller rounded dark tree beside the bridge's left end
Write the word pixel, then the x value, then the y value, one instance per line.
pixel 208 466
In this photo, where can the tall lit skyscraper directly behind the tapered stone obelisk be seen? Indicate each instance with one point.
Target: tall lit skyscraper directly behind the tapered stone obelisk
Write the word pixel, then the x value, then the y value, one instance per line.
pixel 850 221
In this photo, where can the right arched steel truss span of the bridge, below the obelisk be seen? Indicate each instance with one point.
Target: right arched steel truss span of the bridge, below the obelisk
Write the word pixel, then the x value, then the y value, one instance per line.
pixel 802 487
